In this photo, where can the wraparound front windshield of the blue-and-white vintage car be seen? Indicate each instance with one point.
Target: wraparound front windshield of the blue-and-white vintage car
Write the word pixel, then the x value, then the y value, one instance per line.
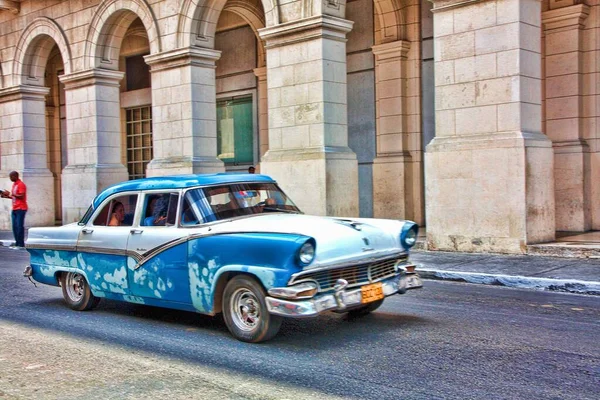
pixel 226 201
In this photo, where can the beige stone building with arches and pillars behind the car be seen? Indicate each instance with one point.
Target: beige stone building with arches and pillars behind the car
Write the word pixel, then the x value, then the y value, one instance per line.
pixel 475 118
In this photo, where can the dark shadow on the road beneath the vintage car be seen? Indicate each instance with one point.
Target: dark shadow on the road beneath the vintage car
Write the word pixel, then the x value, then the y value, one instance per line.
pixel 326 330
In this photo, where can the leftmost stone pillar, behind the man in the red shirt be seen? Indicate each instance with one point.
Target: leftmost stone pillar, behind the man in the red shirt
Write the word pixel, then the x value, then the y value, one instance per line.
pixel 24 149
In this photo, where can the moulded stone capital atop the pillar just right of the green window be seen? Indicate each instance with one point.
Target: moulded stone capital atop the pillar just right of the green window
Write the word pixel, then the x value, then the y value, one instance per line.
pixel 320 26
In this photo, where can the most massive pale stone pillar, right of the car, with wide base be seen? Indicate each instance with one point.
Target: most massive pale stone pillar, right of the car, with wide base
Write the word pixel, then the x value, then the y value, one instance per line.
pixel 489 170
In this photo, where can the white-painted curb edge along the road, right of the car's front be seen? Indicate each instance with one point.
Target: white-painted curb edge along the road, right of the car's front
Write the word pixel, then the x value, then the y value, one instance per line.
pixel 523 282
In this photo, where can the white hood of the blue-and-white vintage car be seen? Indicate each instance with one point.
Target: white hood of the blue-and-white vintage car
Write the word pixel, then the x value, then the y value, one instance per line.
pixel 338 240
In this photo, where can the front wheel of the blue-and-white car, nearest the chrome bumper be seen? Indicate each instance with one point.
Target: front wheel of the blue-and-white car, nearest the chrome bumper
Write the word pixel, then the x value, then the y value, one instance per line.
pixel 245 311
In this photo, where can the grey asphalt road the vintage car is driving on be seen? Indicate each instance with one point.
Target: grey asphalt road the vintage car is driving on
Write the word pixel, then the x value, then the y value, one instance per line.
pixel 447 341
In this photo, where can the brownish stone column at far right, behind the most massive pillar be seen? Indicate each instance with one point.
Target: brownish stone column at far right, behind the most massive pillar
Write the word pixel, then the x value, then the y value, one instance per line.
pixel 563 33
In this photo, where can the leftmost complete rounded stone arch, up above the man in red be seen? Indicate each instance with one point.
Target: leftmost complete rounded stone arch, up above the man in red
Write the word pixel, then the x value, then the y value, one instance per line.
pixel 33 50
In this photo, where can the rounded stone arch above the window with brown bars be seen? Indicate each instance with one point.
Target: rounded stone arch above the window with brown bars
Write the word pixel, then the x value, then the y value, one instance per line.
pixel 108 27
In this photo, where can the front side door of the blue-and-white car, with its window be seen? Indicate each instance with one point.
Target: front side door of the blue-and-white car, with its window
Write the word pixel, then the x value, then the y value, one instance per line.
pixel 158 265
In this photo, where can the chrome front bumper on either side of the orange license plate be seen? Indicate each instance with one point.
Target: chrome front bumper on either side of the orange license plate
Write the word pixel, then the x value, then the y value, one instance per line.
pixel 340 299
